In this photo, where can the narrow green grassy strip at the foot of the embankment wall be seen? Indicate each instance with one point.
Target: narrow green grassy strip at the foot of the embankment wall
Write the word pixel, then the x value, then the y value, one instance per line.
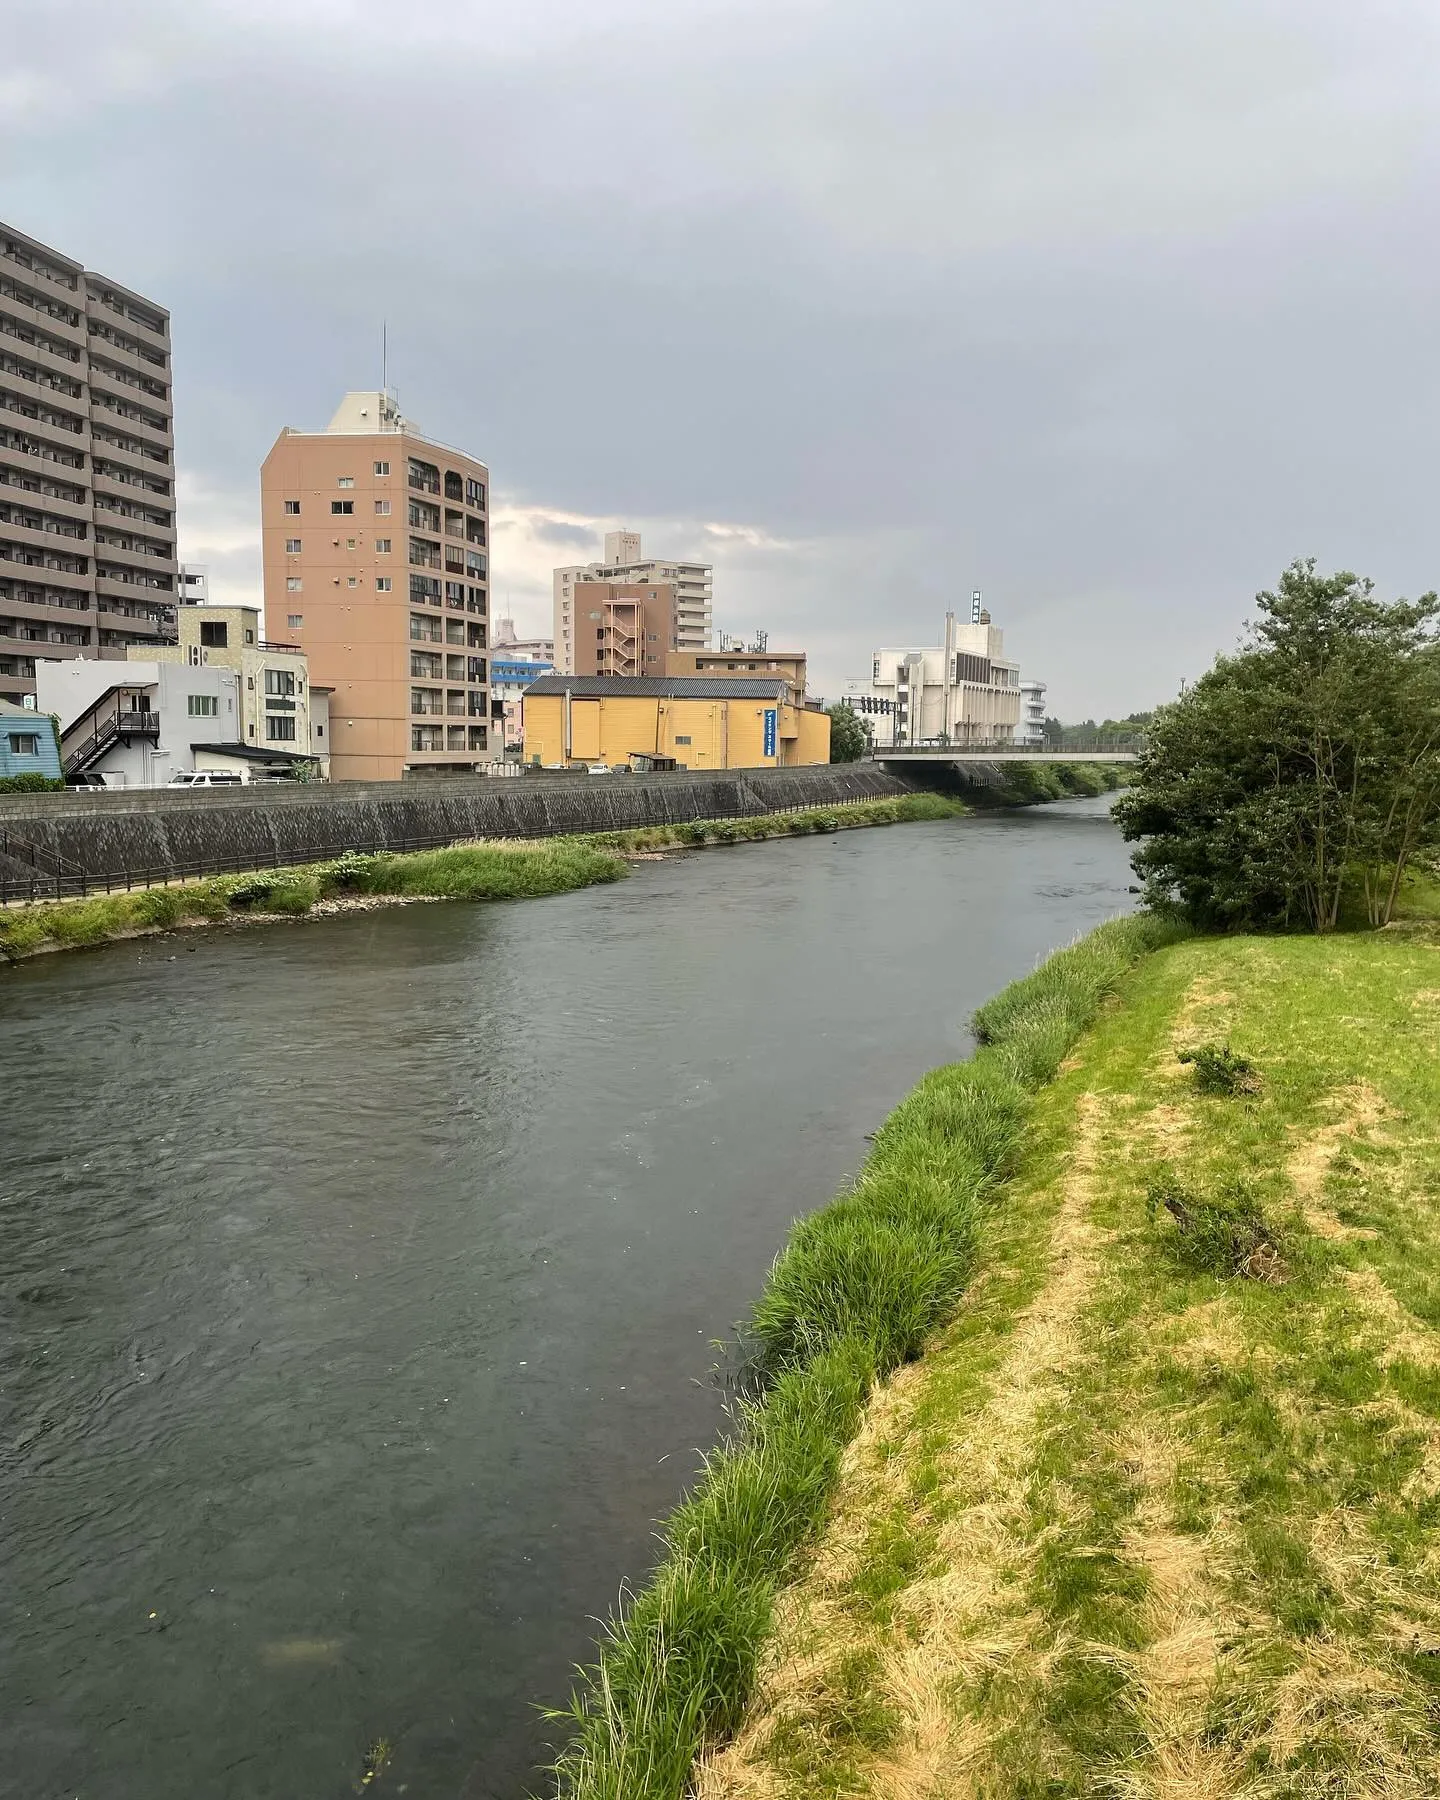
pixel 510 870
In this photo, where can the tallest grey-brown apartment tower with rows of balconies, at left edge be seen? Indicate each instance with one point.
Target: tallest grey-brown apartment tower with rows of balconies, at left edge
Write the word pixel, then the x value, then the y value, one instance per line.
pixel 87 465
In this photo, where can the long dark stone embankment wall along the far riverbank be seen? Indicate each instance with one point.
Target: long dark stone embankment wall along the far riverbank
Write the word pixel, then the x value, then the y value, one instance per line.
pixel 111 834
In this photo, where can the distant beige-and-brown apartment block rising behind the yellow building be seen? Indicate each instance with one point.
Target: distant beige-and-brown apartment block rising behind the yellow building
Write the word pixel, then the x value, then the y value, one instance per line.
pixel 688 604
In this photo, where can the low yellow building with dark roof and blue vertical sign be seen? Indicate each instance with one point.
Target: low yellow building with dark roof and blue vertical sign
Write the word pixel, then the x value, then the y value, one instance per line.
pixel 705 723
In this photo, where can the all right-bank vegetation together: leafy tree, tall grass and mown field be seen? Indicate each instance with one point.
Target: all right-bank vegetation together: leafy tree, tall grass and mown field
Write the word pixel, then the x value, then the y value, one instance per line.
pixel 1158 1513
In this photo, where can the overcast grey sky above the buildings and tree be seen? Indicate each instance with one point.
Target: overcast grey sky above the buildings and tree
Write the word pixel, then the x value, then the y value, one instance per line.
pixel 1104 309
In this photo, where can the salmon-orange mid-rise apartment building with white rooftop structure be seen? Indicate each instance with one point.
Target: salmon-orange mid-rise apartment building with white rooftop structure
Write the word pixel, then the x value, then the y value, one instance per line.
pixel 377 568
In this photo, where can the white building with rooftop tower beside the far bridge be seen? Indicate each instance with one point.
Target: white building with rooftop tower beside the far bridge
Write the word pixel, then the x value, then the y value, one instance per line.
pixel 960 692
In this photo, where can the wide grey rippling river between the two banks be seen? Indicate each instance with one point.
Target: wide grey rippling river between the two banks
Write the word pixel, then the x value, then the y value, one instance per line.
pixel 359 1281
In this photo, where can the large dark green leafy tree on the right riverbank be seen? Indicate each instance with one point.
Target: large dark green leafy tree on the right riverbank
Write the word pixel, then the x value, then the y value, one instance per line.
pixel 1300 769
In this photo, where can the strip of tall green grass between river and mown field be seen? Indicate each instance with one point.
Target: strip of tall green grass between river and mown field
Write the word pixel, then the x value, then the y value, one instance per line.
pixel 856 1291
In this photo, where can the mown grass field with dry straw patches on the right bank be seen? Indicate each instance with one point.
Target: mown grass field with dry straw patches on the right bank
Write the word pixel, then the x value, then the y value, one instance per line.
pixel 1160 1509
